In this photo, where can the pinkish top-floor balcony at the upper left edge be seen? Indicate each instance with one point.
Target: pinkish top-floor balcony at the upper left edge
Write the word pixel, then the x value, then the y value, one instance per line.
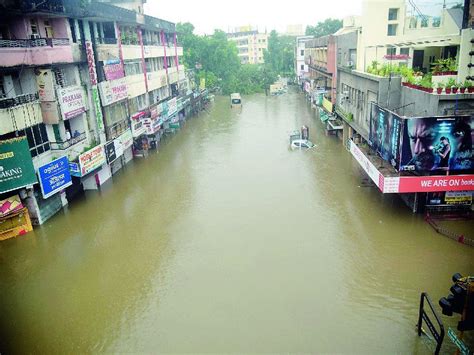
pixel 40 51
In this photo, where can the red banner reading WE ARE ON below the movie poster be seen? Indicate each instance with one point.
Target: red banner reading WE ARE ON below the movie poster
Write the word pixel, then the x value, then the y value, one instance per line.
pixel 436 183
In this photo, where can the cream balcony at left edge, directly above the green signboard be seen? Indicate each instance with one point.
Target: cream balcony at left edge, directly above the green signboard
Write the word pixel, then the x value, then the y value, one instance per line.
pixel 19 113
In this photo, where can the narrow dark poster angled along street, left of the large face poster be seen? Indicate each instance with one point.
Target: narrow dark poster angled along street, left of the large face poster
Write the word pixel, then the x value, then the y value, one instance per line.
pixel 384 135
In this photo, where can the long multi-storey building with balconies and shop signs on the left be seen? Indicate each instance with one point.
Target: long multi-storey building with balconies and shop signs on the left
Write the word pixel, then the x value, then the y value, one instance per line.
pixel 84 87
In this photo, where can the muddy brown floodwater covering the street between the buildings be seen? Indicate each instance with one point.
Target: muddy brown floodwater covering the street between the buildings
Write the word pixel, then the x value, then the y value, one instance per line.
pixel 227 241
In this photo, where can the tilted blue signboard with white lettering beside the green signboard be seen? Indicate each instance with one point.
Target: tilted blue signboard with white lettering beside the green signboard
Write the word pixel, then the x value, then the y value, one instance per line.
pixel 54 176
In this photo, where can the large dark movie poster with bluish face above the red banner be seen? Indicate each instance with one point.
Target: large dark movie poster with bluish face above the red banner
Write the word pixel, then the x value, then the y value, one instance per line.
pixel 437 144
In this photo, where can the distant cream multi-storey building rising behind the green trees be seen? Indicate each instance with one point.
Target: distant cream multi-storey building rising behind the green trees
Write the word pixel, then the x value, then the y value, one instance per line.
pixel 250 44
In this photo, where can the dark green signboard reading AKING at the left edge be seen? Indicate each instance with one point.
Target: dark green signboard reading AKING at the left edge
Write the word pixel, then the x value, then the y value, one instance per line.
pixel 16 166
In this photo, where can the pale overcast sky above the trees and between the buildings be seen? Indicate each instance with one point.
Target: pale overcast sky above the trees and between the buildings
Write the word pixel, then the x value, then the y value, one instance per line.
pixel 206 15
